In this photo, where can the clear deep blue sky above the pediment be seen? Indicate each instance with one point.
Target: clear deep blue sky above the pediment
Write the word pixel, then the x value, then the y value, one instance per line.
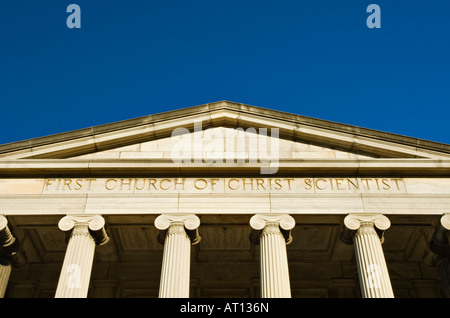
pixel 315 58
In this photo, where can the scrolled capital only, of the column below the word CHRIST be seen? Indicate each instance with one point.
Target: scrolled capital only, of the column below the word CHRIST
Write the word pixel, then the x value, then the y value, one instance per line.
pixel 282 222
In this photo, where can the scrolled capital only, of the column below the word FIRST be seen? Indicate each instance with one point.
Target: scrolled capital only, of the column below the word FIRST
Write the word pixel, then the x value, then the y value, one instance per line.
pixel 94 223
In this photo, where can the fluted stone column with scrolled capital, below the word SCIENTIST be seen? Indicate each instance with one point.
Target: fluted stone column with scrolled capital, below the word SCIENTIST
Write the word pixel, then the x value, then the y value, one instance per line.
pixel 361 230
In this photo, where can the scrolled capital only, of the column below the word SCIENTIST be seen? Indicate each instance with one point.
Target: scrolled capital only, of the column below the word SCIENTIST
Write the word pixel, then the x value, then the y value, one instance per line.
pixel 354 221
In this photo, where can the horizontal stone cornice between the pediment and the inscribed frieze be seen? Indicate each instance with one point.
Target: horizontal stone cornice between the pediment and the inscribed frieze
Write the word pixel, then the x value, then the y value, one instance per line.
pixel 138 167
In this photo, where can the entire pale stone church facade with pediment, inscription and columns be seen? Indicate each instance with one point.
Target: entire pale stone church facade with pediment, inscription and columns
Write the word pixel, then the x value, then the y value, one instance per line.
pixel 224 200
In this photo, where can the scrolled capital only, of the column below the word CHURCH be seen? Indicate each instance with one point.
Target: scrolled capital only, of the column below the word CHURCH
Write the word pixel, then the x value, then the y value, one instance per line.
pixel 190 222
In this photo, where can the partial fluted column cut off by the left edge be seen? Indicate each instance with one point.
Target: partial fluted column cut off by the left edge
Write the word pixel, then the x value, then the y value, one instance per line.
pixel 10 254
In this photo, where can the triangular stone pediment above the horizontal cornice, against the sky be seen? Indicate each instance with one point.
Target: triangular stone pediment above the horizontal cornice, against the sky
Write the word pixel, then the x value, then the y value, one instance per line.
pixel 150 137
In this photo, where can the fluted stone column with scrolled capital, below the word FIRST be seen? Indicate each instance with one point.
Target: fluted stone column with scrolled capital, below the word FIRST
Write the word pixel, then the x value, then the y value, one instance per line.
pixel 84 232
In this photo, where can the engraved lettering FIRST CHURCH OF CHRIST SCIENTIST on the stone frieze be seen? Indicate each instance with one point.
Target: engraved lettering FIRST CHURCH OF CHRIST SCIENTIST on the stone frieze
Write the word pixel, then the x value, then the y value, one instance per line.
pixel 225 185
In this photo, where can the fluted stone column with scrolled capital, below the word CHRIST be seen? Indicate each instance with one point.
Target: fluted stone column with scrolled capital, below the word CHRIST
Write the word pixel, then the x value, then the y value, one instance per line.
pixel 272 233
